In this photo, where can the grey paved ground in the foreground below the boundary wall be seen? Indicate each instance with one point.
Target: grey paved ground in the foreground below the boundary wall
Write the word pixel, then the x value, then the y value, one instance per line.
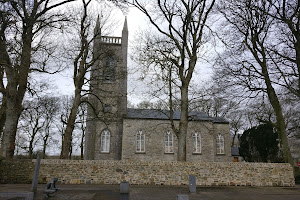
pixel 111 192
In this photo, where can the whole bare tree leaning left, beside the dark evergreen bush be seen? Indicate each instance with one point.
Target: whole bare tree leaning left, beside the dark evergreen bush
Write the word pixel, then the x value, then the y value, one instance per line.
pixel 248 61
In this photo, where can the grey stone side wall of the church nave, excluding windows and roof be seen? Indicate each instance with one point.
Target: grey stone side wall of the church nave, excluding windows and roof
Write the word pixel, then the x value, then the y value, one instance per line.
pixel 155 131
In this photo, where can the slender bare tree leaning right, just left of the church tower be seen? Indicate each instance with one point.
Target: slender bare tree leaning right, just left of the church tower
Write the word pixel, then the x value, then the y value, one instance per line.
pixel 83 61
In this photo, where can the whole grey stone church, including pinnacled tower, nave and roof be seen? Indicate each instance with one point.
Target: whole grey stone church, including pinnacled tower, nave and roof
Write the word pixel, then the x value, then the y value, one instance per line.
pixel 115 132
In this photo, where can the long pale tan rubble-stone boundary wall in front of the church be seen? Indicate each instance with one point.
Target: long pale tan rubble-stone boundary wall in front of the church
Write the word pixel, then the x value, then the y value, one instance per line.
pixel 166 173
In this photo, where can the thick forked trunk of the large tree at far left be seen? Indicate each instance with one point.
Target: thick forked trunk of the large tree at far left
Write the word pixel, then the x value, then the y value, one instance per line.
pixel 17 80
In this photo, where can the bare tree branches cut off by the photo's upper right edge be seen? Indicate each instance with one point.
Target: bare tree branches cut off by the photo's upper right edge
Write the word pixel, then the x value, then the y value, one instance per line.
pixel 286 44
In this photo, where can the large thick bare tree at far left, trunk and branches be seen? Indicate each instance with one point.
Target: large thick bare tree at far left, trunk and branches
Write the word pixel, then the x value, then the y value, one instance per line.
pixel 23 30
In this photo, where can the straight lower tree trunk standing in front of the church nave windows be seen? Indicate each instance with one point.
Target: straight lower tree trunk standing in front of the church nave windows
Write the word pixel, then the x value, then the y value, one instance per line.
pixel 183 124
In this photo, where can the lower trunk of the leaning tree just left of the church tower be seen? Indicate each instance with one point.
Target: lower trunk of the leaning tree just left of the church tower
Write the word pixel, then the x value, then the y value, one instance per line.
pixel 66 147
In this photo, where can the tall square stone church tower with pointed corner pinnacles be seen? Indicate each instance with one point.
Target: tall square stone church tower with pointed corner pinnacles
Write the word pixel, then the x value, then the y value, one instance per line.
pixel 108 96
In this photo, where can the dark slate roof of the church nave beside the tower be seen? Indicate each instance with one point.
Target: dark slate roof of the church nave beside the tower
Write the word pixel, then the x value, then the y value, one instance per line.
pixel 133 113
